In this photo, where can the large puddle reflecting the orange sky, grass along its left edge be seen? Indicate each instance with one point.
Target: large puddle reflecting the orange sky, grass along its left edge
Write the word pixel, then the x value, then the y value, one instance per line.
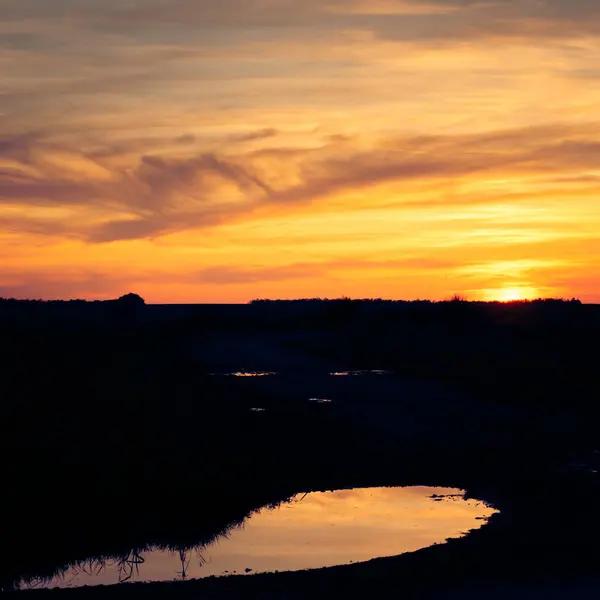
pixel 314 530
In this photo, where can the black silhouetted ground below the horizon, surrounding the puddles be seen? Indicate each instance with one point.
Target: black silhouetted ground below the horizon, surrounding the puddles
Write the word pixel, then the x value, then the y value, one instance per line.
pixel 115 435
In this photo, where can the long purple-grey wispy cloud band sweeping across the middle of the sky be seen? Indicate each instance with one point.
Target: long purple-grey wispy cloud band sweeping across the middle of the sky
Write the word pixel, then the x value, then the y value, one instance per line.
pixel 162 194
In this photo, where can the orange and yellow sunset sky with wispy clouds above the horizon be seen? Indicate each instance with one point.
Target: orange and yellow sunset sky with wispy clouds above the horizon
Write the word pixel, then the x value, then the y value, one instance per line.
pixel 224 150
